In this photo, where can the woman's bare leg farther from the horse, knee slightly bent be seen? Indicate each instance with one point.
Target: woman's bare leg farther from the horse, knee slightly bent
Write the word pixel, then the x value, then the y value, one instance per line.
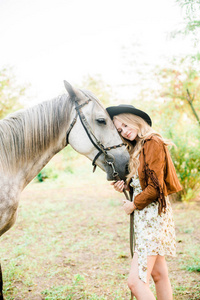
pixel 161 279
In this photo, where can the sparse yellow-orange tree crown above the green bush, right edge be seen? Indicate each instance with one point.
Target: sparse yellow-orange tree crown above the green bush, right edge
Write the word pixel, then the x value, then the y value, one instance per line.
pixel 180 83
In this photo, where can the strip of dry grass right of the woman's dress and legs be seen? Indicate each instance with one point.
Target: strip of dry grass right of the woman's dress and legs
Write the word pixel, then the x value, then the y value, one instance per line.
pixel 187 280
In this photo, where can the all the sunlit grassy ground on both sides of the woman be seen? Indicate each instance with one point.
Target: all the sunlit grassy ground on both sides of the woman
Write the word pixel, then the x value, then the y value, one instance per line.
pixel 71 241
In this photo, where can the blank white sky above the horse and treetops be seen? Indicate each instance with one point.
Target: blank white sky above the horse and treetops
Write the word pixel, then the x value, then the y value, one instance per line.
pixel 46 42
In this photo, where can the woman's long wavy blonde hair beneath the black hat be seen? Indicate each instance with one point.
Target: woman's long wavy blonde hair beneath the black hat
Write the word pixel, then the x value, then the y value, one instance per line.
pixel 144 132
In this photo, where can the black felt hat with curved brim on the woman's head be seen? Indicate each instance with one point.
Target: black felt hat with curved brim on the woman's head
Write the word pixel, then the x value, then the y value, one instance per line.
pixel 130 109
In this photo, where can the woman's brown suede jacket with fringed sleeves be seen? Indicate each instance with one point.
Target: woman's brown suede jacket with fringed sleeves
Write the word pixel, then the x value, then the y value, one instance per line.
pixel 157 174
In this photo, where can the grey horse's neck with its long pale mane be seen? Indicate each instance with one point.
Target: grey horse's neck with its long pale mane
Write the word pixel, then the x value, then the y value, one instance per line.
pixel 44 134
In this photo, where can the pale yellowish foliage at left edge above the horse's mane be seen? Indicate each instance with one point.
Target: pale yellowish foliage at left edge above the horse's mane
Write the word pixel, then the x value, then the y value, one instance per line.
pixel 10 93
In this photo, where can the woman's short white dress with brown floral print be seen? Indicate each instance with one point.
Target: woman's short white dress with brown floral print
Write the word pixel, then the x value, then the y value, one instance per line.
pixel 154 233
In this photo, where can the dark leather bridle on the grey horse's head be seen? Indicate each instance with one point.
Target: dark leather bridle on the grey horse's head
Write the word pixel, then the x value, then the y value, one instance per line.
pixel 109 158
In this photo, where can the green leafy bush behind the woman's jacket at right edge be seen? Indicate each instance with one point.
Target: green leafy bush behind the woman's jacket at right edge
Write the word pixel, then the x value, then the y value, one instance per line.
pixel 186 137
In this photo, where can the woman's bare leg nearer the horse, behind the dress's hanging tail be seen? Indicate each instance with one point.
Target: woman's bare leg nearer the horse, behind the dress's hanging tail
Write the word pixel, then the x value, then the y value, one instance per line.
pixel 139 288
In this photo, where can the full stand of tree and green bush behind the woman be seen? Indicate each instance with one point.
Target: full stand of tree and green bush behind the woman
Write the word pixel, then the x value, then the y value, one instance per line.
pixel 177 117
